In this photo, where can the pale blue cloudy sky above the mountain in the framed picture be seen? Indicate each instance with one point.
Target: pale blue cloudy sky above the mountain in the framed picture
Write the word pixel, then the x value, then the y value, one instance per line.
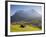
pixel 14 8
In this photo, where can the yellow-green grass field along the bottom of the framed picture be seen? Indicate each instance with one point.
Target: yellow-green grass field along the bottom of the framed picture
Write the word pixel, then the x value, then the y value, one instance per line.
pixel 17 28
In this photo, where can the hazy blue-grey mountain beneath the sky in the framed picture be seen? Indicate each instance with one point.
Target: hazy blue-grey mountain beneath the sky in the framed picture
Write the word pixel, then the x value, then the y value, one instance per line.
pixel 25 15
